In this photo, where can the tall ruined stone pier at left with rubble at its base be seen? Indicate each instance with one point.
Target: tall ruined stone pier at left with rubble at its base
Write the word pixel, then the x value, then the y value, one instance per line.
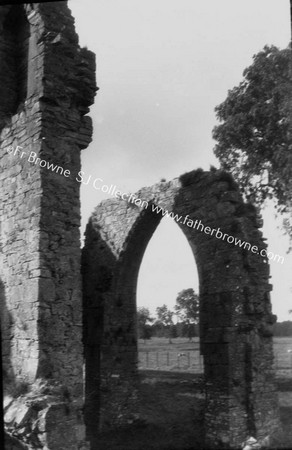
pixel 47 83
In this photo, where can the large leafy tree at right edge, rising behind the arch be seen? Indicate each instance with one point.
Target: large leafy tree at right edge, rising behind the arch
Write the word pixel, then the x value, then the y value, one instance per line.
pixel 254 138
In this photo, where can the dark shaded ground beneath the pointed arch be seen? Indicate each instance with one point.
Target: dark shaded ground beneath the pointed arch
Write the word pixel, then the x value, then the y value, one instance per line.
pixel 171 416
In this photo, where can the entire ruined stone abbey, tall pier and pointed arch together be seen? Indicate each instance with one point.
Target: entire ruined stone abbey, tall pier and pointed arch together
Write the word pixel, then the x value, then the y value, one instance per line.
pixel 52 323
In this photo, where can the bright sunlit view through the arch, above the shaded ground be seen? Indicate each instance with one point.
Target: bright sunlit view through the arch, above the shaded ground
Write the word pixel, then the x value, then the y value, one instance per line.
pixel 167 272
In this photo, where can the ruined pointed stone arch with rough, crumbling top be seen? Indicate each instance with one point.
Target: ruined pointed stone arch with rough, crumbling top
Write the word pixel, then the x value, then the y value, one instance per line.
pixel 235 312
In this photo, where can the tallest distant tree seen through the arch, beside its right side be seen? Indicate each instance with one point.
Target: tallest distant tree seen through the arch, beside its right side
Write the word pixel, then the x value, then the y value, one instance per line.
pixel 187 310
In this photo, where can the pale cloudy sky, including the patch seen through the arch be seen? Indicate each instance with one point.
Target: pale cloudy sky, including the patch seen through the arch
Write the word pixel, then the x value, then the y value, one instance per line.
pixel 162 67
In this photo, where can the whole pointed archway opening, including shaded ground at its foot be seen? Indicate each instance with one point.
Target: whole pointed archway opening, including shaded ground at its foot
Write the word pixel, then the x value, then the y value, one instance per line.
pixel 169 360
